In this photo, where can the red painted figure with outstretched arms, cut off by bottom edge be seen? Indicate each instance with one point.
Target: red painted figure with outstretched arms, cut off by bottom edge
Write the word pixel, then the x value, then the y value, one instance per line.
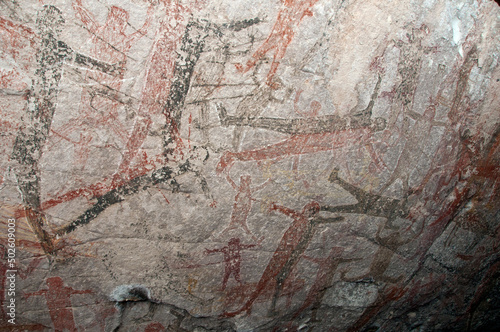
pixel 58 298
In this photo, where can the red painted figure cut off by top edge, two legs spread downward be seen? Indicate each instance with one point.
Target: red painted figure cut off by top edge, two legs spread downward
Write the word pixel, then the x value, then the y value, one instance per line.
pixel 289 16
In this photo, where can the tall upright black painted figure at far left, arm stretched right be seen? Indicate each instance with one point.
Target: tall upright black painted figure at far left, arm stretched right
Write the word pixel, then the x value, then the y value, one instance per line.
pixel 51 56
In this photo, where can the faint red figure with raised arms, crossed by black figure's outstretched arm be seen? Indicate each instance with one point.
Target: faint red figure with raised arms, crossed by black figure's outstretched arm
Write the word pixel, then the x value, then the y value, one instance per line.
pixel 99 107
